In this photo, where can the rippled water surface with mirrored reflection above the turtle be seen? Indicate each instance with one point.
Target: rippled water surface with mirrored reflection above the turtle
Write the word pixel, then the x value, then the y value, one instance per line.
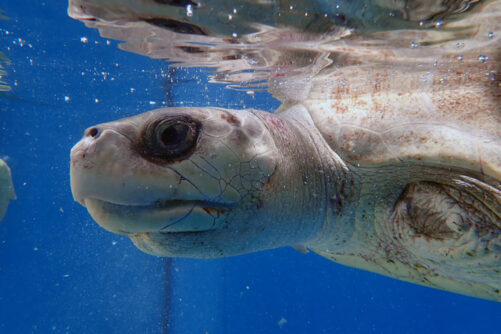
pixel 277 43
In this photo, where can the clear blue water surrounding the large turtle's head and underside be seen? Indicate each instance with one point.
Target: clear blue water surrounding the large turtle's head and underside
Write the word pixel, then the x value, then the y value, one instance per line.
pixel 61 273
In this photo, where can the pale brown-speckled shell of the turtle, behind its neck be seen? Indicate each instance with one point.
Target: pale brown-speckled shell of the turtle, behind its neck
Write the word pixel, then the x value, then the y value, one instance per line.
pixel 449 117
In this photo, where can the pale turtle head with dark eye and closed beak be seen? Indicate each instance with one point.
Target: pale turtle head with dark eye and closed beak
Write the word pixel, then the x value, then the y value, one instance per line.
pixel 181 181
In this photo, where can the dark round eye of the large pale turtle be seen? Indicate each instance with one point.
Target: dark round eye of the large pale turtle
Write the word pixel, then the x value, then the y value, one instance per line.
pixel 170 139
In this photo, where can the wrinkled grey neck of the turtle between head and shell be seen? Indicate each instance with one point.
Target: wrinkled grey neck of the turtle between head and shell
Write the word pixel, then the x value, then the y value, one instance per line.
pixel 309 187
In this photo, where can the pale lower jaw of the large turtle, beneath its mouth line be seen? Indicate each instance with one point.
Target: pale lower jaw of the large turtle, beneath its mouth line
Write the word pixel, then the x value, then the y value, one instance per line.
pixel 163 216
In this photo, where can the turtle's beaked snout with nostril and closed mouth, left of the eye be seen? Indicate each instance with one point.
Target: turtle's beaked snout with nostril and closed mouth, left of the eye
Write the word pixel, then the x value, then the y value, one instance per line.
pixel 127 194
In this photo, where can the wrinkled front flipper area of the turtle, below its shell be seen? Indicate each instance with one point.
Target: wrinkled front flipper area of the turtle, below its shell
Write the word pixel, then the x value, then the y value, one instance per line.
pixel 442 235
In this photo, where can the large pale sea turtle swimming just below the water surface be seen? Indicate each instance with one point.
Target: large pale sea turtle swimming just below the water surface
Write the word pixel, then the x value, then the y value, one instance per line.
pixel 390 175
